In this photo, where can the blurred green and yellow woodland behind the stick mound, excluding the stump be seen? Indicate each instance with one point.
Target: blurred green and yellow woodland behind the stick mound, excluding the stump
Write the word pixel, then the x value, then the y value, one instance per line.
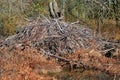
pixel 103 16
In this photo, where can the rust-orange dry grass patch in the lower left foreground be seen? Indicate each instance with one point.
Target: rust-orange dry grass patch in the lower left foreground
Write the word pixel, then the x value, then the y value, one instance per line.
pixel 25 64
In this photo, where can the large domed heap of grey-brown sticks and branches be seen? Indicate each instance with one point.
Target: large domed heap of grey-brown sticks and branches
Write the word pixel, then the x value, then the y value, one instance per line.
pixel 58 37
